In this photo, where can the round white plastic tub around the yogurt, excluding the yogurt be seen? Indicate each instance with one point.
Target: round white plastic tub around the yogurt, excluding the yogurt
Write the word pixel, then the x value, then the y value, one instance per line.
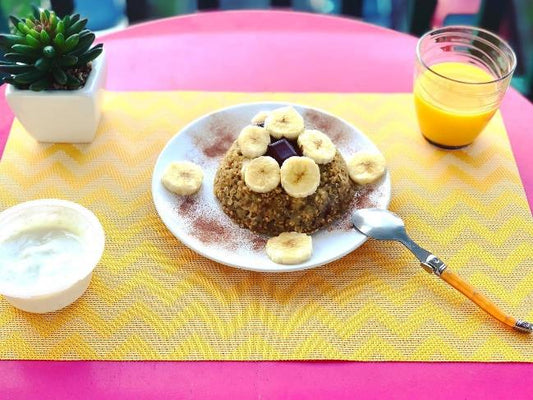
pixel 63 289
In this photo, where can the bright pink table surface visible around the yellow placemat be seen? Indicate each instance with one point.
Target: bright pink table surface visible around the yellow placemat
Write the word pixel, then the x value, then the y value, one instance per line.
pixel 226 51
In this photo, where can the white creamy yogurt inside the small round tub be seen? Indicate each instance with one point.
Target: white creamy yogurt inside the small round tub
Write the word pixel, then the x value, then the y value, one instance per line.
pixel 35 258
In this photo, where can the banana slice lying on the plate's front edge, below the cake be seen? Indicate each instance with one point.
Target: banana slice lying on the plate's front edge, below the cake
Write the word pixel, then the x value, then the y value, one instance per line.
pixel 290 248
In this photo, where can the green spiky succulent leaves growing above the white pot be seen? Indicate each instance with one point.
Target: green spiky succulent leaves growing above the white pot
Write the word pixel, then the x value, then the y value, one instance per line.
pixel 47 52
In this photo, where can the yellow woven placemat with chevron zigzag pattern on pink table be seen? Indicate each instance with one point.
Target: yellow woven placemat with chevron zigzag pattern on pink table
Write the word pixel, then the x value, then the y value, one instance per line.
pixel 151 298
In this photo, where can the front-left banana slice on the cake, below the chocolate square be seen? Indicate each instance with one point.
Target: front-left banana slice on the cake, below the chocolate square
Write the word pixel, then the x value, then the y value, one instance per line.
pixel 261 174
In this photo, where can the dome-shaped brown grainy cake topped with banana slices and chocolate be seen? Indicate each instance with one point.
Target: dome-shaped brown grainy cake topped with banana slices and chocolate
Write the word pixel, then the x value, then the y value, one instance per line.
pixel 282 209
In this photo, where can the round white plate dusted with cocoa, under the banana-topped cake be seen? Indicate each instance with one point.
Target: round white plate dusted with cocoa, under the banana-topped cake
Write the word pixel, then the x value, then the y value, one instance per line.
pixel 199 222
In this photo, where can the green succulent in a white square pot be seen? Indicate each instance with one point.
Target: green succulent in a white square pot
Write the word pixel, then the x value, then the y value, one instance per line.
pixel 55 76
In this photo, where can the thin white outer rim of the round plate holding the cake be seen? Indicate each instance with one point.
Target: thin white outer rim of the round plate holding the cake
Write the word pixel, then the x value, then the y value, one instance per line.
pixel 282 267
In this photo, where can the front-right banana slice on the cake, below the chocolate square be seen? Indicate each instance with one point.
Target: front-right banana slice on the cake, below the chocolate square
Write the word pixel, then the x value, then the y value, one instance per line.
pixel 300 176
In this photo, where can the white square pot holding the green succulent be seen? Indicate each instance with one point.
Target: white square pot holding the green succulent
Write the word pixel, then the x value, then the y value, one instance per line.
pixel 62 116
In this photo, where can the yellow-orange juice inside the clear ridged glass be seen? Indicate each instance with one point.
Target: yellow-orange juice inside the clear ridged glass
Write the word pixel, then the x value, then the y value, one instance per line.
pixel 454 102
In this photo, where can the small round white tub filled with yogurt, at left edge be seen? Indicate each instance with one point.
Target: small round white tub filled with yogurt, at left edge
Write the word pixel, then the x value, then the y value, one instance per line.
pixel 48 251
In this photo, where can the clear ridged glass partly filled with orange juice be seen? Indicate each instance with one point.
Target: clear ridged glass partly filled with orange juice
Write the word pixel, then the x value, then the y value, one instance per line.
pixel 461 76
